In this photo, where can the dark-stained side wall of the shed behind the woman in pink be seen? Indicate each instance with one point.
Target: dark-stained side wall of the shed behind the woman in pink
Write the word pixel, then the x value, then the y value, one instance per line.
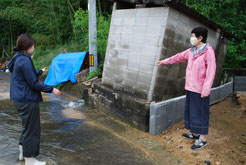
pixel 177 39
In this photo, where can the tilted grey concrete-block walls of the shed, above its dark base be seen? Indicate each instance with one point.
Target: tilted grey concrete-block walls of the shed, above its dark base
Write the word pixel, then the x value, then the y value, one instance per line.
pixel 140 37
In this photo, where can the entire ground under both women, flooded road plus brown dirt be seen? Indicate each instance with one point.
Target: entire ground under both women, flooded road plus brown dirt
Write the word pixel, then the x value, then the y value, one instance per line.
pixel 74 135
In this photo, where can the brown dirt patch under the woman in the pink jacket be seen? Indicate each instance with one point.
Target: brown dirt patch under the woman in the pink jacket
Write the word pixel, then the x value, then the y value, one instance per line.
pixel 226 138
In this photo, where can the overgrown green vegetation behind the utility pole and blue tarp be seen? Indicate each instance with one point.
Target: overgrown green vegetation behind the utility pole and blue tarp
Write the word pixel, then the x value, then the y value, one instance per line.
pixel 58 26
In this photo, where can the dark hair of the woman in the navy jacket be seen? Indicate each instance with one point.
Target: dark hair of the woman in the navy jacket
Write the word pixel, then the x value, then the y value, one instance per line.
pixel 24 42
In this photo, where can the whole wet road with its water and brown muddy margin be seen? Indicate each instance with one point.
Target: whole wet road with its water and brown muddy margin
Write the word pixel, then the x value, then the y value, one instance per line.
pixel 73 135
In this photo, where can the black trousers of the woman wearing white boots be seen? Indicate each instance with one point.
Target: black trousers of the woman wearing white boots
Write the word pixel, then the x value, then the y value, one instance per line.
pixel 30 135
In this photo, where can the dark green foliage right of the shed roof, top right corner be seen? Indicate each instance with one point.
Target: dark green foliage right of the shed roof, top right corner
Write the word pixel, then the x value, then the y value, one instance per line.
pixel 231 15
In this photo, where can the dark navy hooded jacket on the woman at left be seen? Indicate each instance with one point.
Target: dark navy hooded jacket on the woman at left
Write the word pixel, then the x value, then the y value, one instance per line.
pixel 24 85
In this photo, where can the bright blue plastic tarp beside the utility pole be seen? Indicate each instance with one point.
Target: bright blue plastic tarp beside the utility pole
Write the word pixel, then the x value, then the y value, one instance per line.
pixel 64 67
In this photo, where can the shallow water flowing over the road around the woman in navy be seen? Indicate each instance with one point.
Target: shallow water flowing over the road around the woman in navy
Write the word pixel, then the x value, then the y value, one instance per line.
pixel 65 138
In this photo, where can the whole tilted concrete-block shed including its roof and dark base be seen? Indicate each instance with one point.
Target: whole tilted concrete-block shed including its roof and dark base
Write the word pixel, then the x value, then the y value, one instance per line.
pixel 138 38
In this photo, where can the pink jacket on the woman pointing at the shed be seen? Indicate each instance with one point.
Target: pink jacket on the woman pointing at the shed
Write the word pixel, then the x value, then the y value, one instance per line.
pixel 200 70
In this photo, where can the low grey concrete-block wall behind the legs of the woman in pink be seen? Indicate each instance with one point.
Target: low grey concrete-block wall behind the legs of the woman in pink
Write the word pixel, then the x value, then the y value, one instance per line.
pixel 166 113
